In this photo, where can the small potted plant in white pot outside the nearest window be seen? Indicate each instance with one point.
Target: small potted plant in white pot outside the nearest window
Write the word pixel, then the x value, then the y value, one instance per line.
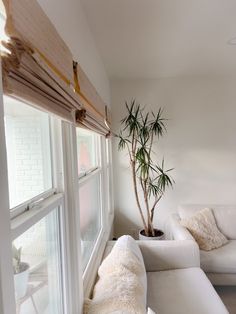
pixel 21 273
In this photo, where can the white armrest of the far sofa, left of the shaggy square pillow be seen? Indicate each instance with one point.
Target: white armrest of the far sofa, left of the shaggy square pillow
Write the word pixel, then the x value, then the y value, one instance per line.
pixel 179 232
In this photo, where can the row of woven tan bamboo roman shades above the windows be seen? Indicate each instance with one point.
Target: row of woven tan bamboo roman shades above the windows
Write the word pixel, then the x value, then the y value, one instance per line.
pixel 39 69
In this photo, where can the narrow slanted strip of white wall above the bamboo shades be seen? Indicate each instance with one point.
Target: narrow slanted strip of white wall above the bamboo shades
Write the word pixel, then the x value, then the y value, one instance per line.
pixel 70 21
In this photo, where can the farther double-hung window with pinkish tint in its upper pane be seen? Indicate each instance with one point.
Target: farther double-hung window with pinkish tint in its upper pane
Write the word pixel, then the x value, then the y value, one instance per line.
pixel 90 202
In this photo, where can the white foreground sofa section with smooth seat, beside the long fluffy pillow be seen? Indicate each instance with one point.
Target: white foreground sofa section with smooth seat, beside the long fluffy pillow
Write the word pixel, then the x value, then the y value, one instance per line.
pixel 175 282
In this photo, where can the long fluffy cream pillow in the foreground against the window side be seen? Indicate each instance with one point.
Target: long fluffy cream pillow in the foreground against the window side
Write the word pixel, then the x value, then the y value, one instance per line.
pixel 122 283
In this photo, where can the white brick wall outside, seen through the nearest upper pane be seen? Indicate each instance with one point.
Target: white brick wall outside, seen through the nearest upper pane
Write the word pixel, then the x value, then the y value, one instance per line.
pixel 26 148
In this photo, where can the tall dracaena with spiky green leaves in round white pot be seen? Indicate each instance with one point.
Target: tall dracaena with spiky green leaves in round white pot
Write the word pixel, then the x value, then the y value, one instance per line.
pixel 138 135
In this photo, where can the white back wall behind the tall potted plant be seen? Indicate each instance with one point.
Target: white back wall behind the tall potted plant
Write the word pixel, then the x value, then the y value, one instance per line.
pixel 200 144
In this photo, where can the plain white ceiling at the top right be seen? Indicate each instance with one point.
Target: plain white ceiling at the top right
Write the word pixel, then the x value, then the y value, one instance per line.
pixel 164 38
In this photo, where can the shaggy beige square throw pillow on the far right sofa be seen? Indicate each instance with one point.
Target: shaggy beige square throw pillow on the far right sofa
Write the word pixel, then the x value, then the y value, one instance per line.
pixel 203 228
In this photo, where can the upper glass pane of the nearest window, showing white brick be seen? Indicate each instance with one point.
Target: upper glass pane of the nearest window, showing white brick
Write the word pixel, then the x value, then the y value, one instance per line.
pixel 28 151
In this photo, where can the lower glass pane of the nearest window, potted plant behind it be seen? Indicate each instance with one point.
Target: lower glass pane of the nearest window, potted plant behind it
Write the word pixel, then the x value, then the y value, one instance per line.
pixel 37 276
